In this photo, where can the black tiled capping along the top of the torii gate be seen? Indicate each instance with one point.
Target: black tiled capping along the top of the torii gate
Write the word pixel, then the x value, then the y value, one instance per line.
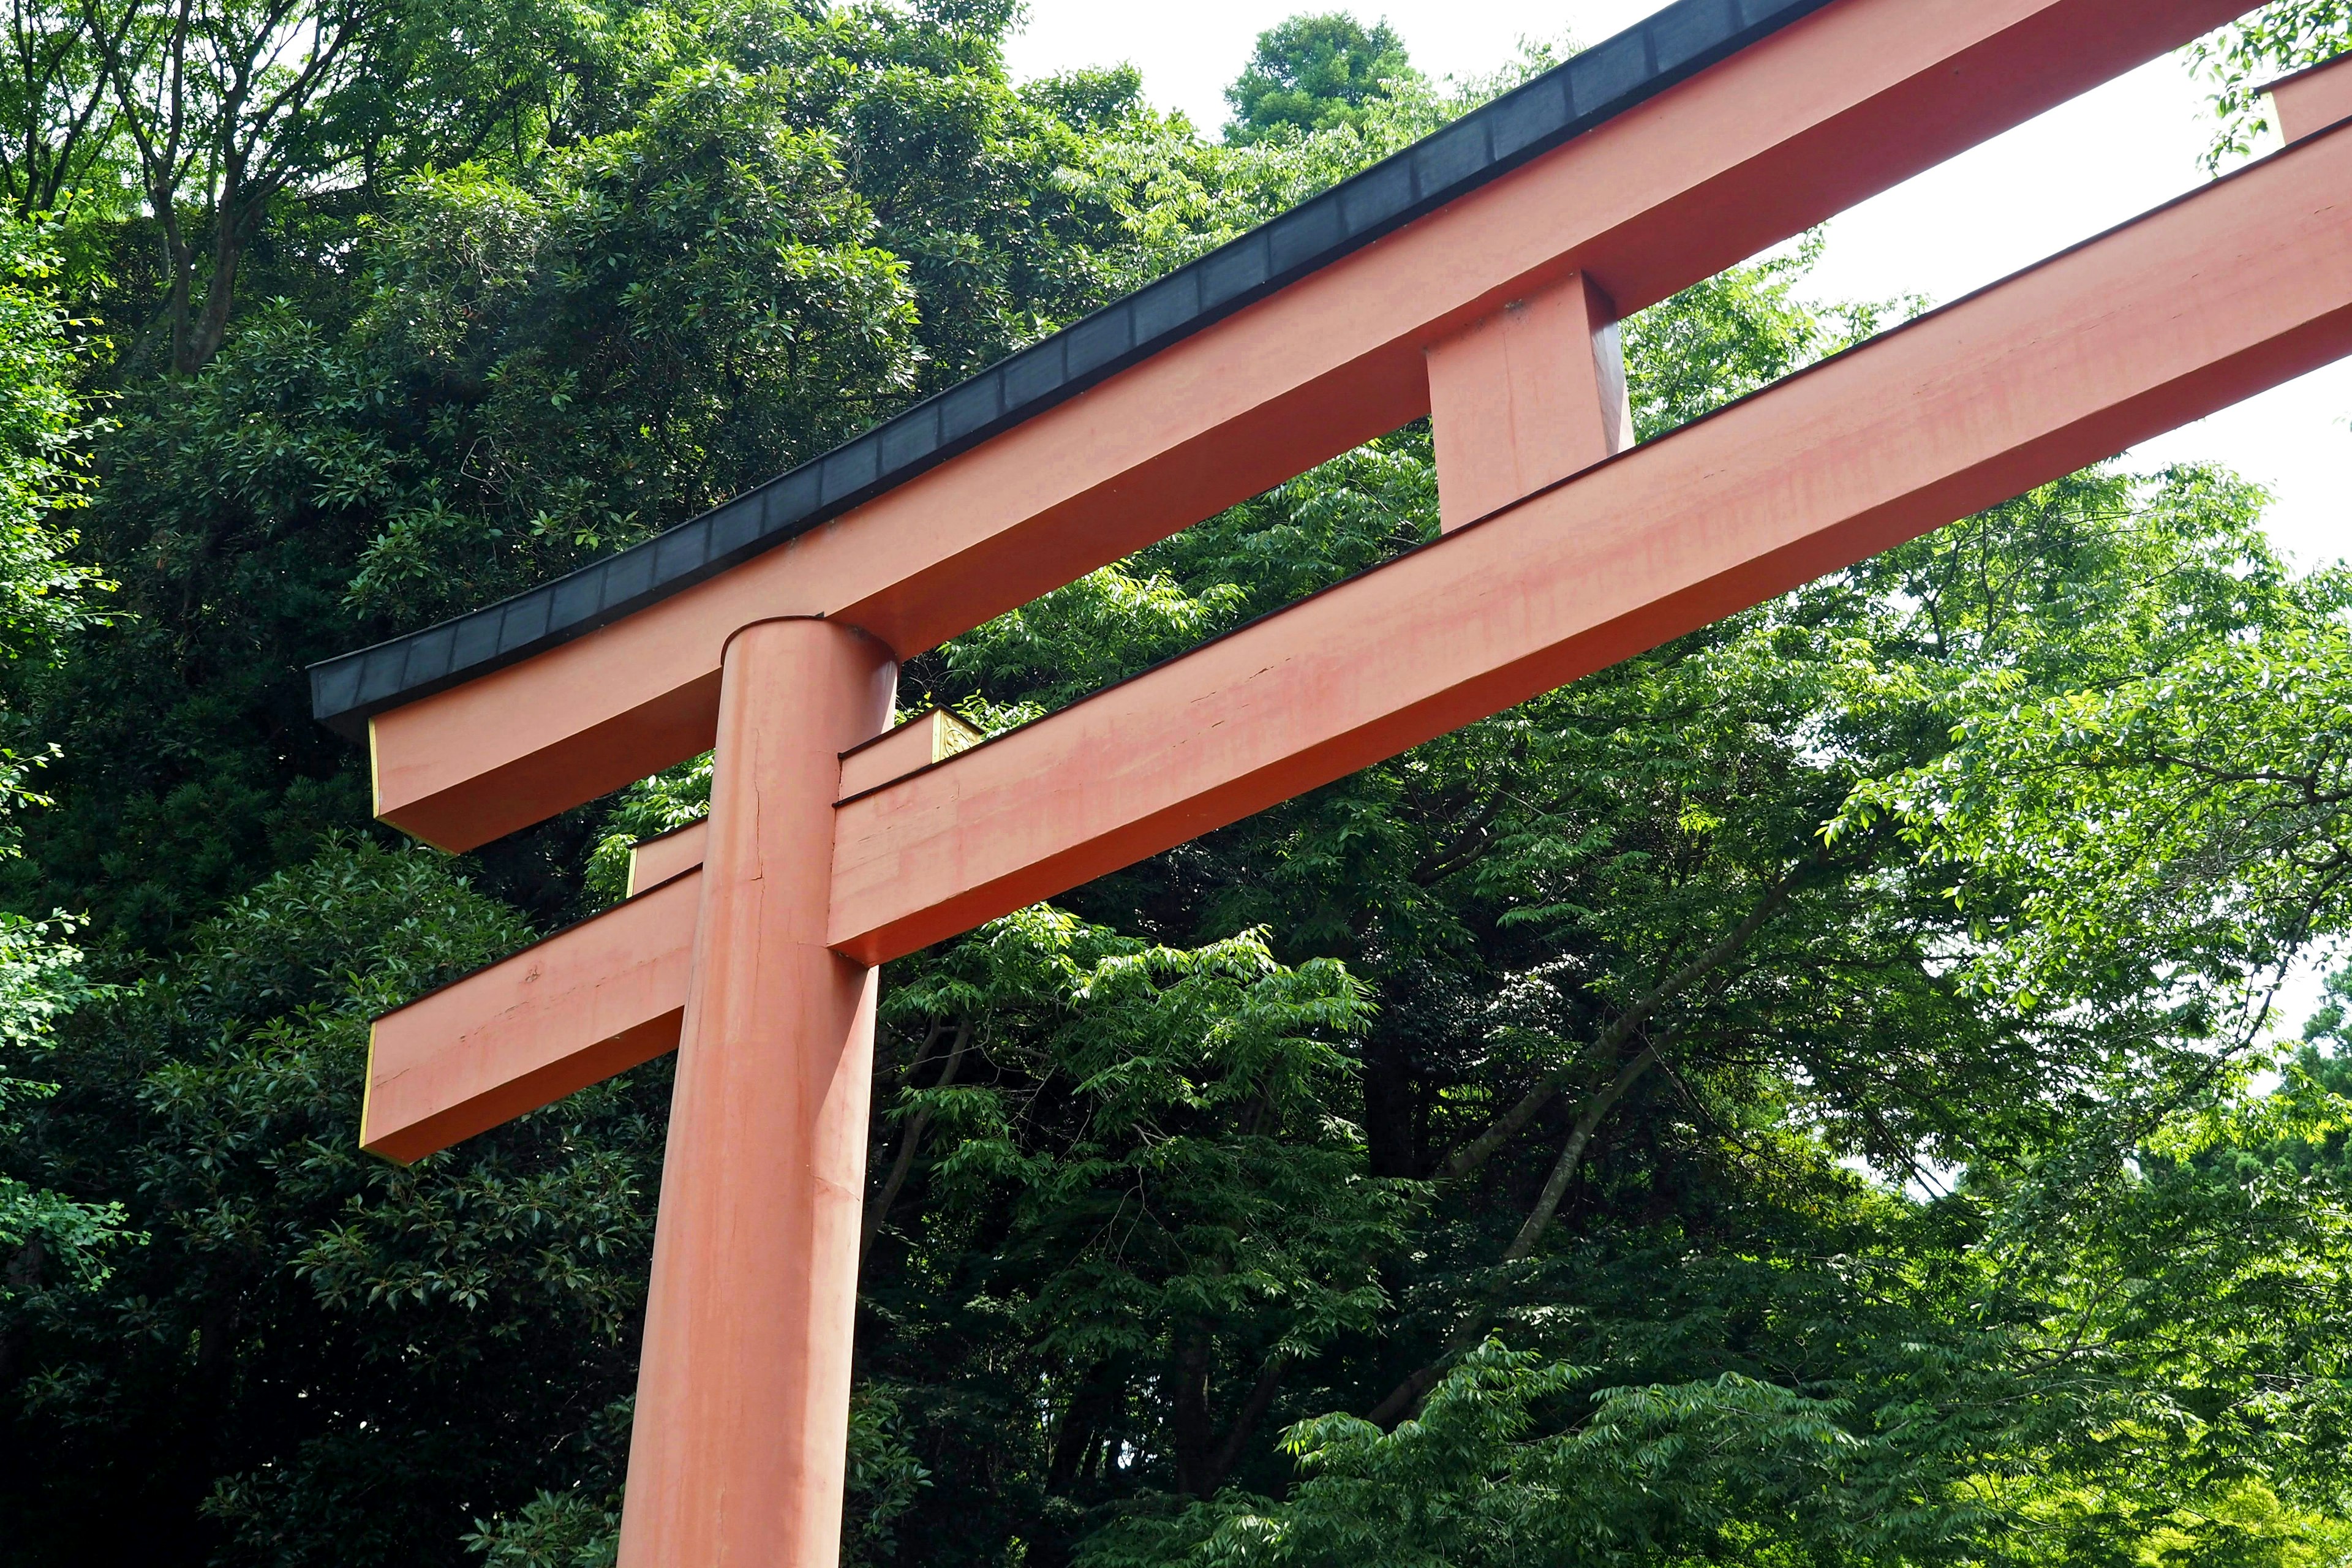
pixel 1485 145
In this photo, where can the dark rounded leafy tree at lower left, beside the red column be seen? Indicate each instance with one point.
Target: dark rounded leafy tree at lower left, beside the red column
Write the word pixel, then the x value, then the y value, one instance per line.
pixel 298 1362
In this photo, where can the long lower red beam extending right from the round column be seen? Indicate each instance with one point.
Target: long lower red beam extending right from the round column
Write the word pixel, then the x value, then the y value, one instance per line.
pixel 2177 316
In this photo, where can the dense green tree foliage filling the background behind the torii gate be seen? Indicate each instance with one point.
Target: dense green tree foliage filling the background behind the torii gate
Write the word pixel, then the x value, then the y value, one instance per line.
pixel 1803 1097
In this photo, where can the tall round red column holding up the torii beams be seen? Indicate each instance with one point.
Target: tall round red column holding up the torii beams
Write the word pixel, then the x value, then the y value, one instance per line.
pixel 742 1421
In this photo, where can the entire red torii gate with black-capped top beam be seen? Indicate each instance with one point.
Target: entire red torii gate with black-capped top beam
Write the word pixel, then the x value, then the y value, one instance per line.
pixel 1476 279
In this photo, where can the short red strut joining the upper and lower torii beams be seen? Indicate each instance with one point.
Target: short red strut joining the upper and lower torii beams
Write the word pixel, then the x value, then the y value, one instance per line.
pixel 1528 396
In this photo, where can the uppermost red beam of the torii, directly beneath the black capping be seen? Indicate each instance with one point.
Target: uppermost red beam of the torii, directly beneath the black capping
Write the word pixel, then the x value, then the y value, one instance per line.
pixel 1779 138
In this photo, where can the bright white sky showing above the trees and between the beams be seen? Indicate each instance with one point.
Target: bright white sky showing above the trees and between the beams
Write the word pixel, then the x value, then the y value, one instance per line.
pixel 2073 173
